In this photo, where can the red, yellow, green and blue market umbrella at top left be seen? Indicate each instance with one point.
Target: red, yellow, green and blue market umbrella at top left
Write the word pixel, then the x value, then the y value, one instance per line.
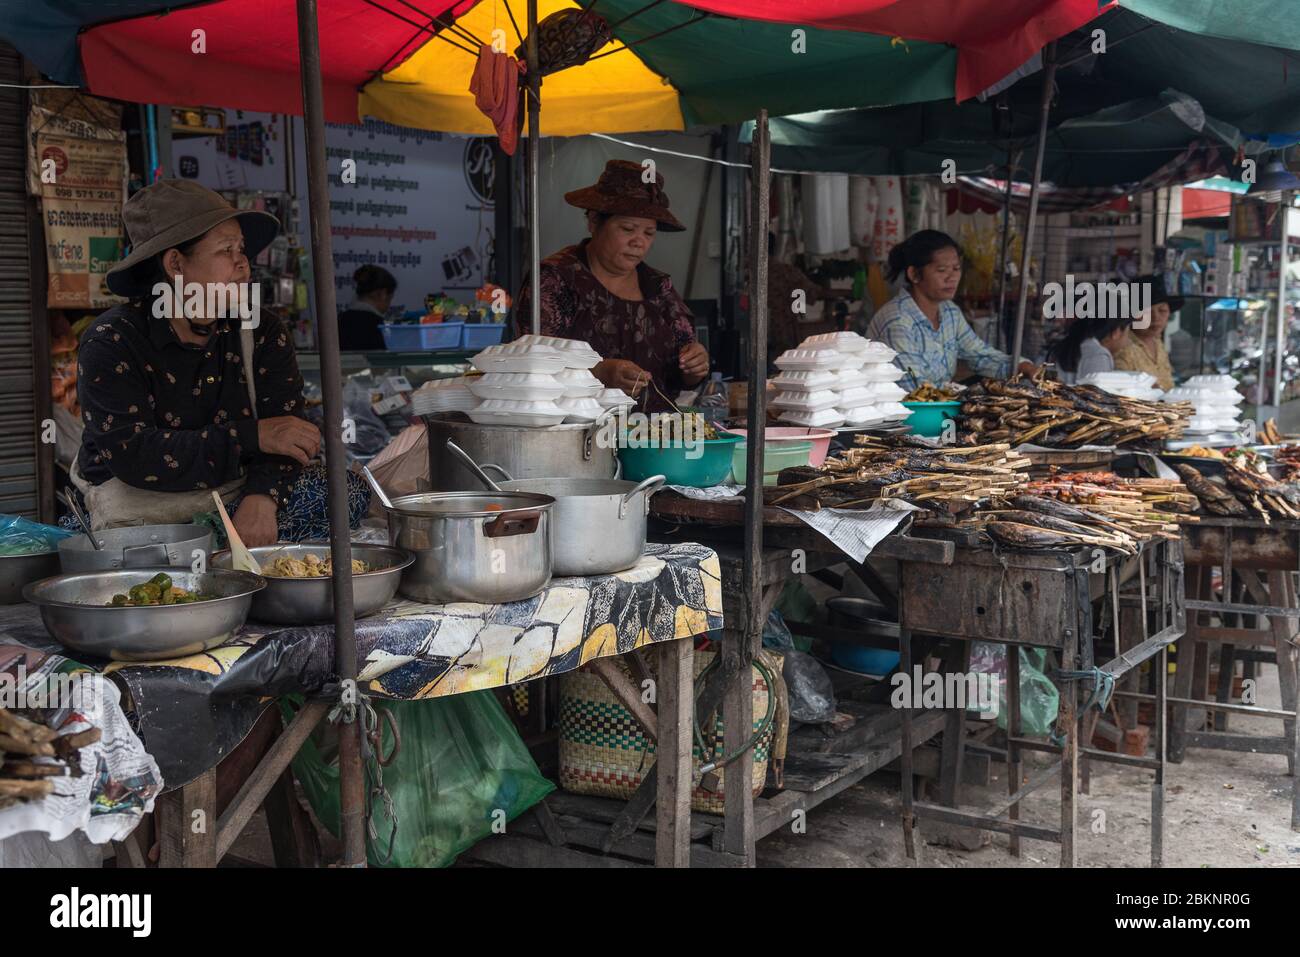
pixel 405 62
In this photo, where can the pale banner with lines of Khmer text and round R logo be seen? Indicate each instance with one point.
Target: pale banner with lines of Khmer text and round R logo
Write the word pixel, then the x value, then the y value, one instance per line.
pixel 418 203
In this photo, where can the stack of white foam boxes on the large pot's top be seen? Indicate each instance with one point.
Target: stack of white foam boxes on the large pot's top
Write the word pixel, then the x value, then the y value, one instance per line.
pixel 538 380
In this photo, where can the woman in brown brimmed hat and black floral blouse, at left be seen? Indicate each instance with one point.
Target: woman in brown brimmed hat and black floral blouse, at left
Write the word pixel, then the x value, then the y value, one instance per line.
pixel 179 401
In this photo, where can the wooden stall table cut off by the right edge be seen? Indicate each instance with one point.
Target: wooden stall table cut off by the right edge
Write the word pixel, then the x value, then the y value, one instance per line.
pixel 1258 565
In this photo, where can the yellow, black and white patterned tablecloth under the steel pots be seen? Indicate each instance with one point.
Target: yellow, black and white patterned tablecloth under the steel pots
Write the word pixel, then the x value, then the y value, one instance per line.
pixel 193 712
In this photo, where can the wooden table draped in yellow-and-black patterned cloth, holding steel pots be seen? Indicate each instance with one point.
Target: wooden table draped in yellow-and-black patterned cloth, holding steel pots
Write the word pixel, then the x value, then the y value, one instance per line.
pixel 196 713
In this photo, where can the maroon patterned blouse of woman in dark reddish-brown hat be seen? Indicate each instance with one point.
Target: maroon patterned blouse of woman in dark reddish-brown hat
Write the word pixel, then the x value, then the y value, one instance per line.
pixel 578 306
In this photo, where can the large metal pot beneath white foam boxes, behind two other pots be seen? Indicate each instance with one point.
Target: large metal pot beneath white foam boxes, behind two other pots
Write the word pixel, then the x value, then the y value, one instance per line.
pixel 575 452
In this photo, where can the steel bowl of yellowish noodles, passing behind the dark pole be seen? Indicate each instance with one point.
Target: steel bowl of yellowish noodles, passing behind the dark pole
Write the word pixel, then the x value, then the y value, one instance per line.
pixel 311 601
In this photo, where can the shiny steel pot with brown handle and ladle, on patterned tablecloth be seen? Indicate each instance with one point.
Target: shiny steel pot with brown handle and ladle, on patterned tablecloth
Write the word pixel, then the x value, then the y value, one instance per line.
pixel 474 547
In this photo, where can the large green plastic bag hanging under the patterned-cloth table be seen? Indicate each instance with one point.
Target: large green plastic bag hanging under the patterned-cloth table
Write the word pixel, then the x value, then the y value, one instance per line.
pixel 462 773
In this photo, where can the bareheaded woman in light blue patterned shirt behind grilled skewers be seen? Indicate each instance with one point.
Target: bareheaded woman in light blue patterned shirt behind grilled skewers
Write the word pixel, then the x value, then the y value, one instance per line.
pixel 924 324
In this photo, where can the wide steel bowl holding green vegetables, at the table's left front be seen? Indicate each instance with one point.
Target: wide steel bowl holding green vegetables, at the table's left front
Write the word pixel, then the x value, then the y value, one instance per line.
pixel 75 610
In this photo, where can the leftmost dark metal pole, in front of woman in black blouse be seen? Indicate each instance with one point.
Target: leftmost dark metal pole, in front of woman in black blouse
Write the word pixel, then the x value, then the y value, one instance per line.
pixel 352 796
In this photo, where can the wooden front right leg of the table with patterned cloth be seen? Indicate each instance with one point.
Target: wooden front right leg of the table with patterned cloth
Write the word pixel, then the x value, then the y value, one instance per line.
pixel 673 751
